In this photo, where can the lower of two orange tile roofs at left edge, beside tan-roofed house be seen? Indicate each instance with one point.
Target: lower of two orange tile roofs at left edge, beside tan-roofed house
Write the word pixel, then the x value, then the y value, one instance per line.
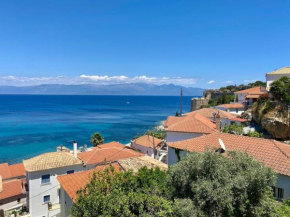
pixel 11 188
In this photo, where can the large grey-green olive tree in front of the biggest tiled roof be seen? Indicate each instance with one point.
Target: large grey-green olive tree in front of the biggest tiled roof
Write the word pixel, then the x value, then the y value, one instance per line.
pixel 235 185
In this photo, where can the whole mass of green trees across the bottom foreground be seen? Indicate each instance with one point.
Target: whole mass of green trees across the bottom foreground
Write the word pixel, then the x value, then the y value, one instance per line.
pixel 201 184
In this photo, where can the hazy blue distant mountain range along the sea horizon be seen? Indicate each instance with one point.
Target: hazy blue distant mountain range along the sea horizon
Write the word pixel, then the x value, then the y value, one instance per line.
pixel 114 89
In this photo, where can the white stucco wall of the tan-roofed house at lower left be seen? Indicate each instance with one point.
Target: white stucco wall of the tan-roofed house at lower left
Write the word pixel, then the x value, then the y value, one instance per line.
pixel 37 191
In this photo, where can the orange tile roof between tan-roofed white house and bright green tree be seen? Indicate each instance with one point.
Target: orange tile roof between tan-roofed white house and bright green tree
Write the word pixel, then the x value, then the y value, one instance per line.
pixel 71 183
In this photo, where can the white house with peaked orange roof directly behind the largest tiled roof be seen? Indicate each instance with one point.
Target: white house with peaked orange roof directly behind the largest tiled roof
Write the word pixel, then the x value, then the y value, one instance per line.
pixel 182 128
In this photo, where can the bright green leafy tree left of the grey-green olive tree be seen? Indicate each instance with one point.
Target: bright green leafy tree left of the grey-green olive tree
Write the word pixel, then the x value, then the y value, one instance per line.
pixel 111 193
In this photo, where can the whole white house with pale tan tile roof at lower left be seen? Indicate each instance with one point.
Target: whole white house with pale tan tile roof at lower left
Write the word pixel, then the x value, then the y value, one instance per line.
pixel 43 187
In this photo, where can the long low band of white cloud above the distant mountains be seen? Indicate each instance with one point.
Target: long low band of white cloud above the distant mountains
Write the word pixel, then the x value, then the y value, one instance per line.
pixel 94 79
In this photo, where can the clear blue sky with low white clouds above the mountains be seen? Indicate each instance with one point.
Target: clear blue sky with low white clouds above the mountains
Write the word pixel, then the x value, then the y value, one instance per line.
pixel 184 42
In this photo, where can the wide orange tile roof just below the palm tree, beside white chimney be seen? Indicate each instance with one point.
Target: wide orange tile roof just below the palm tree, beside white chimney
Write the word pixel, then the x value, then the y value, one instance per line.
pixel 107 152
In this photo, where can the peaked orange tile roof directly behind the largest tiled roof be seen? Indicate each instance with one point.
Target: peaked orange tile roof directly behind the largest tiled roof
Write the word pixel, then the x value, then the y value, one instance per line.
pixel 195 123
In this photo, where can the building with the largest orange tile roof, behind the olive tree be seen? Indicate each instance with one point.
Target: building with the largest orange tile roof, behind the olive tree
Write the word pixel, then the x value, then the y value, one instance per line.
pixel 273 154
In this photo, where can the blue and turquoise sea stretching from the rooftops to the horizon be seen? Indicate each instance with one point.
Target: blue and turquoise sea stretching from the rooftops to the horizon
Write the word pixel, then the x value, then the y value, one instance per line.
pixel 34 124
